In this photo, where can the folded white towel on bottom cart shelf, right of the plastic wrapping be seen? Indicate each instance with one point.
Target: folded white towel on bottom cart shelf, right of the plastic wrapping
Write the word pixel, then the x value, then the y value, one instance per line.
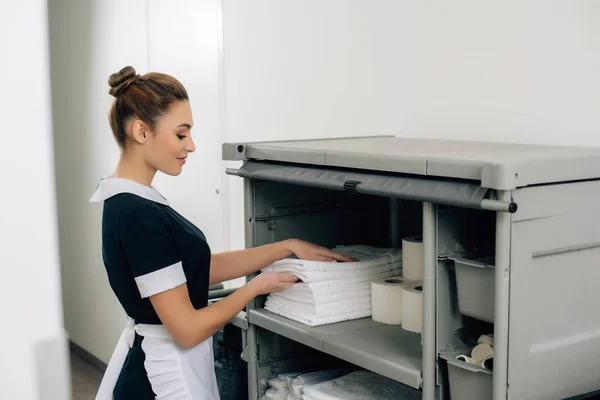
pixel 361 385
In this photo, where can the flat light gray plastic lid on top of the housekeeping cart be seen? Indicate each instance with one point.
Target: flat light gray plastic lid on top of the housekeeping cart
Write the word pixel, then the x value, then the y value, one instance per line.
pixel 499 166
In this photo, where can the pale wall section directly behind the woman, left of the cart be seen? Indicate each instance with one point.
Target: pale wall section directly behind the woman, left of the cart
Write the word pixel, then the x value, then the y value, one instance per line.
pixel 90 40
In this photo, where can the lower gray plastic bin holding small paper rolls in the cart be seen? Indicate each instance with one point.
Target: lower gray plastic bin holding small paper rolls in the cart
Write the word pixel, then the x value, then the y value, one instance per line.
pixel 467 381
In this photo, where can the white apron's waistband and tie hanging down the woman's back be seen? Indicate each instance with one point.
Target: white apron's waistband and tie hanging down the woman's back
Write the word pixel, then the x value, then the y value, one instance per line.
pixel 117 360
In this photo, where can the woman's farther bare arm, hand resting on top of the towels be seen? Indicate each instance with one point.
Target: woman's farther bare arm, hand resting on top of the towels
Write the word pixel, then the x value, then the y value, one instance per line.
pixel 235 264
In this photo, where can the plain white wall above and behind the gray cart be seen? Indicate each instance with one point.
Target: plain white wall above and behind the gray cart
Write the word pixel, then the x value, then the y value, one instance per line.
pixel 520 71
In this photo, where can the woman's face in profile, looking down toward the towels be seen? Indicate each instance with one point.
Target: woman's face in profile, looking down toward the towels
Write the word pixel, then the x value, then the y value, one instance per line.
pixel 168 146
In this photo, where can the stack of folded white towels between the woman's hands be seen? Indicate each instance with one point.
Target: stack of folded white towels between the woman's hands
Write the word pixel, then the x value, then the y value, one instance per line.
pixel 333 291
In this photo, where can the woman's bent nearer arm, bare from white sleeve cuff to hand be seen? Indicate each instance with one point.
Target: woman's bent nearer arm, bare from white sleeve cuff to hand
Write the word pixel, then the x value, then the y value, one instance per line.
pixel 189 326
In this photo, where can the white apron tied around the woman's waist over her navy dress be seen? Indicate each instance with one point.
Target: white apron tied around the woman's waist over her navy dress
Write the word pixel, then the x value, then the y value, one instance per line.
pixel 174 373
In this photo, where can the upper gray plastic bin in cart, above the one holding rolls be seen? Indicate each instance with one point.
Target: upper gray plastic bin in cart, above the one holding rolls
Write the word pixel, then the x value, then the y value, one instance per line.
pixel 475 286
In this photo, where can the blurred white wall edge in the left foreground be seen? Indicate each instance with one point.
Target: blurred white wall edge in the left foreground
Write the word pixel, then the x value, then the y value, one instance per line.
pixel 33 364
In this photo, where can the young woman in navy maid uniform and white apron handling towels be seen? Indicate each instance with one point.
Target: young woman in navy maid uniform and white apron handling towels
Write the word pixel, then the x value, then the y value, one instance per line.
pixel 158 263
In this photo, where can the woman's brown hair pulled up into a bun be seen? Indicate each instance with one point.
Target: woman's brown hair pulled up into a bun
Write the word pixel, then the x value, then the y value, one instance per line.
pixel 146 97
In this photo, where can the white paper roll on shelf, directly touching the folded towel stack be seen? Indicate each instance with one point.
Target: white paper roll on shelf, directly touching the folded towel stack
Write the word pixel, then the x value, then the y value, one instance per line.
pixel 386 300
